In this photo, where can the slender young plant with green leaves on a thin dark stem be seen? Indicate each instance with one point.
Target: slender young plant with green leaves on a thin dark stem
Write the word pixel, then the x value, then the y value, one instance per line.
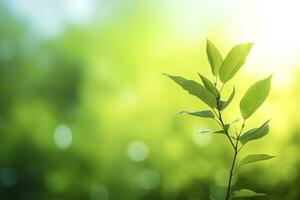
pixel 211 94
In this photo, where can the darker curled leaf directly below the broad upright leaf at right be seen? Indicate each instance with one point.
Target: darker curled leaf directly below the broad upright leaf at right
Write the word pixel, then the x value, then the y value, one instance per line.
pixel 255 133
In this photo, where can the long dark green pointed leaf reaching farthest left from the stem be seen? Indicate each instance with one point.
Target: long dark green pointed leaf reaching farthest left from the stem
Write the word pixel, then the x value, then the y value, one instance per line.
pixel 195 89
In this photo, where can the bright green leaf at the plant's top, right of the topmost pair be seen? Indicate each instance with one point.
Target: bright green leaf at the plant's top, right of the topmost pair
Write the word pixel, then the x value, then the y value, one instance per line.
pixel 234 61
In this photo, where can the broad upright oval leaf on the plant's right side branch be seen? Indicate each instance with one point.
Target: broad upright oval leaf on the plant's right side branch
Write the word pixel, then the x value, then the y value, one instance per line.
pixel 254 97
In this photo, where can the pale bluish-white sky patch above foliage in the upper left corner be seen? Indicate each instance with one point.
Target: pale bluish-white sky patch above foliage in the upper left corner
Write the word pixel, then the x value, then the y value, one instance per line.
pixel 48 17
